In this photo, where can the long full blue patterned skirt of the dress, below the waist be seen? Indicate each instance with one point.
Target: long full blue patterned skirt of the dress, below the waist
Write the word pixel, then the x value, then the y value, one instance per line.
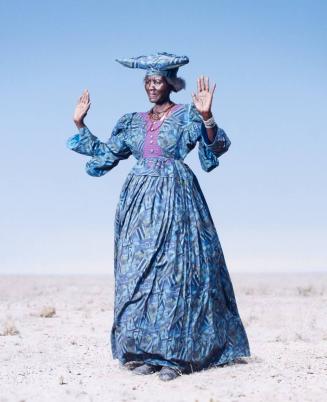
pixel 174 301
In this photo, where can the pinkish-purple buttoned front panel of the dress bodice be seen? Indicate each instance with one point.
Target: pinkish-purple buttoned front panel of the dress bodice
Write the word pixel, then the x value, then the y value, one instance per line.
pixel 151 147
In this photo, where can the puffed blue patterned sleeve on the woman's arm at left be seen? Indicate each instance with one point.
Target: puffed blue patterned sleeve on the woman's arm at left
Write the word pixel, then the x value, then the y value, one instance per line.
pixel 104 155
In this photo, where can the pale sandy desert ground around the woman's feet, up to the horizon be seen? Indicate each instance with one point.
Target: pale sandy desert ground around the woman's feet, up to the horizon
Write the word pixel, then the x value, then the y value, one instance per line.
pixel 55 344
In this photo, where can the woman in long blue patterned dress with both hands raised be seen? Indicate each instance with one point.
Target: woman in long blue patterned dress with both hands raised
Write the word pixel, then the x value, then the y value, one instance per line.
pixel 175 309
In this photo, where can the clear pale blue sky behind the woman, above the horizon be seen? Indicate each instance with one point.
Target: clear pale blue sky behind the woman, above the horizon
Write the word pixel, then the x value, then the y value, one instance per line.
pixel 268 197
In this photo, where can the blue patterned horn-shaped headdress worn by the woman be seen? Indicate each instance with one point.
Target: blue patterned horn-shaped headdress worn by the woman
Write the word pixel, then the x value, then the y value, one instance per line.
pixel 161 63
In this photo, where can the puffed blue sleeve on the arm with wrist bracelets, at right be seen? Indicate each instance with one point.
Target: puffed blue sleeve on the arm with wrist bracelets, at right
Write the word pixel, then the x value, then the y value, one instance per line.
pixel 208 152
